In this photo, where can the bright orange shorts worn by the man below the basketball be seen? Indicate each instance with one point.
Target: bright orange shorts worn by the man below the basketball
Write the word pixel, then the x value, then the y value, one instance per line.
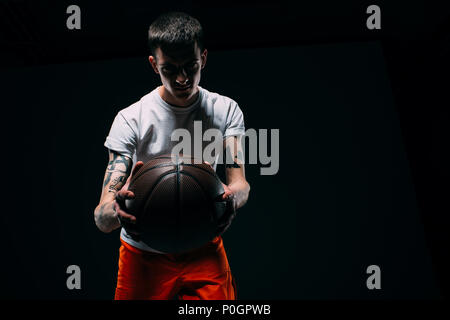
pixel 203 273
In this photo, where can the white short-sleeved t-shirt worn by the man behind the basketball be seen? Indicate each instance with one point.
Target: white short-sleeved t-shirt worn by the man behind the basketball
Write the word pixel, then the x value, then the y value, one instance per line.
pixel 143 130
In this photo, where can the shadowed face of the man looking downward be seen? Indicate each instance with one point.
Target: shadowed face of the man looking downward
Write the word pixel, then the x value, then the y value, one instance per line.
pixel 180 70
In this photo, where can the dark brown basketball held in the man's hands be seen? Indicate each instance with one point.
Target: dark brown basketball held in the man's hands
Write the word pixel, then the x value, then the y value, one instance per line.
pixel 177 203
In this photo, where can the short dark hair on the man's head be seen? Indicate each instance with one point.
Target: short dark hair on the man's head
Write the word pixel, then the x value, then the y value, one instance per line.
pixel 175 30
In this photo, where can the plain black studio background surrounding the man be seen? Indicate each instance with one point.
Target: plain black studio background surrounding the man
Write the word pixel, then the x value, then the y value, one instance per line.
pixel 363 156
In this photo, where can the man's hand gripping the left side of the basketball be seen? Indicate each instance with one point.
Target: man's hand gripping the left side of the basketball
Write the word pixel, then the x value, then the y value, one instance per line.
pixel 127 220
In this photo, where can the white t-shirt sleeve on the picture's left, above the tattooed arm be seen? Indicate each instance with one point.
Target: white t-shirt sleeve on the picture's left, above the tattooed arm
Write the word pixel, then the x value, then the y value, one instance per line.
pixel 121 138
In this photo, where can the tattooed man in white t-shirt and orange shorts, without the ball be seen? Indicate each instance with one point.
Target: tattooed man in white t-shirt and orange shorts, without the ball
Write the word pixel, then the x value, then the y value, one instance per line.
pixel 143 130
